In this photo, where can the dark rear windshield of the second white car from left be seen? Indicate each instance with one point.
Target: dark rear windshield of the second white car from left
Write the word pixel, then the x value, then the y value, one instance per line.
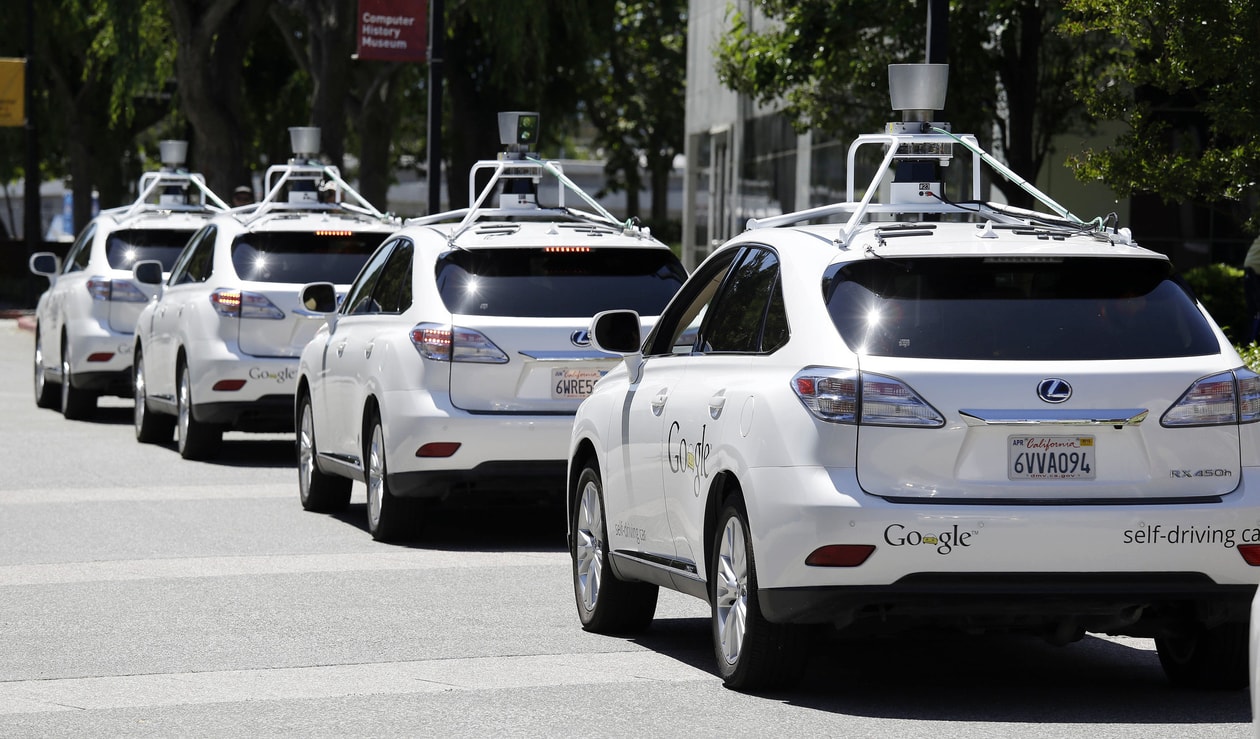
pixel 303 257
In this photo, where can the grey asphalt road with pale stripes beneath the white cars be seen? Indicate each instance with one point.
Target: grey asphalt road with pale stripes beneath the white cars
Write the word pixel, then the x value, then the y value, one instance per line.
pixel 146 596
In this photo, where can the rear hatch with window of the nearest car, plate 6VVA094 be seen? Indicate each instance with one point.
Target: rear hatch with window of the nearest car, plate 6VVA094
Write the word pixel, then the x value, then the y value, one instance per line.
pixel 1051 380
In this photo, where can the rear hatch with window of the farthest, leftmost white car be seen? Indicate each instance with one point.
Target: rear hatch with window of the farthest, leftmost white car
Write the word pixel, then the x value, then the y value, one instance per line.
pixel 123 250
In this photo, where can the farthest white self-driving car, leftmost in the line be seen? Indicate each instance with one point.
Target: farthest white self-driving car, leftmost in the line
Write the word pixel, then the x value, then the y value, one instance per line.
pixel 86 319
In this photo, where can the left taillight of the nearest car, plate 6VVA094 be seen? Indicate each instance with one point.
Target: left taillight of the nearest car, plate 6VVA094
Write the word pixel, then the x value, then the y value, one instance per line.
pixel 840 396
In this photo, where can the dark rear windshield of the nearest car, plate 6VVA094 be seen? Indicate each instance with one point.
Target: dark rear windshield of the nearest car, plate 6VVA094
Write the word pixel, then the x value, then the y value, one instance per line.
pixel 1015 309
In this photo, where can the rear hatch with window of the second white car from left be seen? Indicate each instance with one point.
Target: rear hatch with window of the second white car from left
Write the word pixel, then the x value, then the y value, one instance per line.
pixel 274 266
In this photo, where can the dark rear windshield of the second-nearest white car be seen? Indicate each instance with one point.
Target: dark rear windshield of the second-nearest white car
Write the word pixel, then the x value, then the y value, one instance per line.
pixel 546 284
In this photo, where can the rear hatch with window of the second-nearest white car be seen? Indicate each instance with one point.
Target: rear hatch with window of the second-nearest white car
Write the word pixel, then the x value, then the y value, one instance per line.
pixel 532 307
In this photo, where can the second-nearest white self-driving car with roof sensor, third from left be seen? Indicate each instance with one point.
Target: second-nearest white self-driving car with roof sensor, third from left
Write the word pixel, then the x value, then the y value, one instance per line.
pixel 461 353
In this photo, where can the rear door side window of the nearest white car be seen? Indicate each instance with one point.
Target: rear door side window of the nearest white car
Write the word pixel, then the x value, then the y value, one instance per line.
pixel 743 312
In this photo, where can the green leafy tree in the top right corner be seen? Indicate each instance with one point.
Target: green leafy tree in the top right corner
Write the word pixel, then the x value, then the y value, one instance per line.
pixel 1181 76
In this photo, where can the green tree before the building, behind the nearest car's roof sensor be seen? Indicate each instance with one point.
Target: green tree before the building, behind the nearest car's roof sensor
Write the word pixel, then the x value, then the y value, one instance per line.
pixel 826 61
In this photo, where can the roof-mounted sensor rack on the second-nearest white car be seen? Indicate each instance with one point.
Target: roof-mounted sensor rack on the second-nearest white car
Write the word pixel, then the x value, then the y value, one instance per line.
pixel 517 176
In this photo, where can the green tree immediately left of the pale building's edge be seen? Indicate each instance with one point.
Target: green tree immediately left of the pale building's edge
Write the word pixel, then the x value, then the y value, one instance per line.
pixel 631 98
